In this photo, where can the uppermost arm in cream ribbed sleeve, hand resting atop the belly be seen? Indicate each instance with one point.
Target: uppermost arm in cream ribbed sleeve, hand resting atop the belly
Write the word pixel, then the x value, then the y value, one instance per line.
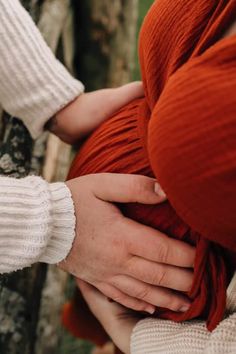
pixel 35 86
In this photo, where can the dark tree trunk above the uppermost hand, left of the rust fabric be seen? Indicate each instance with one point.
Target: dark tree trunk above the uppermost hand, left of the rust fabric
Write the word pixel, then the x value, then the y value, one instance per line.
pixel 107 38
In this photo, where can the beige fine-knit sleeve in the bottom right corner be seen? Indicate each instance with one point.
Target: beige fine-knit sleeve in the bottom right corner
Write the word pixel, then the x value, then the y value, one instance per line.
pixel 154 336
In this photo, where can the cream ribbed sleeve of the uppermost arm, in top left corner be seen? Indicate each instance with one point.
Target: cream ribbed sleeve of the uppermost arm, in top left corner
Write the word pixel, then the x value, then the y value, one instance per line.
pixel 33 84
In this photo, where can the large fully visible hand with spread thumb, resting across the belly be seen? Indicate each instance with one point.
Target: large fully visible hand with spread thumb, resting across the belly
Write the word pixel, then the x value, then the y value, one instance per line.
pixel 128 262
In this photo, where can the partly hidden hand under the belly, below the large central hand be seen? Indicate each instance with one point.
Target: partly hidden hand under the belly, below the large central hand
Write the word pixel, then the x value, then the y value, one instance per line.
pixel 117 320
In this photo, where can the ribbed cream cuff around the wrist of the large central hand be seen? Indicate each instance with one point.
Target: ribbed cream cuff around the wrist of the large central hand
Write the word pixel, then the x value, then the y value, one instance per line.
pixel 63 224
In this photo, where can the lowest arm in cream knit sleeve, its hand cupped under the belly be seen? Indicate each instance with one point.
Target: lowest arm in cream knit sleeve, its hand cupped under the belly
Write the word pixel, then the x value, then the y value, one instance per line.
pixel 119 324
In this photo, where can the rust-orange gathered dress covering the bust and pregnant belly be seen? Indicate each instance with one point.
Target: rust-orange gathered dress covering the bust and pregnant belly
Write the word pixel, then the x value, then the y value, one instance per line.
pixel 183 132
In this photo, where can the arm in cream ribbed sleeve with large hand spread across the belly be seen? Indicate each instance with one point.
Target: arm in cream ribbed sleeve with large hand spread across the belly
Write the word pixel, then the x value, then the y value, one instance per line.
pixel 37 224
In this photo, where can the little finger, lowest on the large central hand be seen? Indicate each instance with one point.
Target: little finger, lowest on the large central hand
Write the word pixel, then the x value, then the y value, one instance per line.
pixel 124 299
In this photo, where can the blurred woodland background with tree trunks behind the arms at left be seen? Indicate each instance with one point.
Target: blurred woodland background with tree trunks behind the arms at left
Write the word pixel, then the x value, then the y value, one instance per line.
pixel 97 41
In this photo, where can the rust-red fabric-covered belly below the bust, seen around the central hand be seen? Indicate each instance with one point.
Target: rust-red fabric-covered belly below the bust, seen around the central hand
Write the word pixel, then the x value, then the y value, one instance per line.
pixel 119 146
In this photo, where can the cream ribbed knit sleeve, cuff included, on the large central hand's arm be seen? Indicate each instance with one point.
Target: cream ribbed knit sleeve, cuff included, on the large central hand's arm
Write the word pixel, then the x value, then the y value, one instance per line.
pixel 37 222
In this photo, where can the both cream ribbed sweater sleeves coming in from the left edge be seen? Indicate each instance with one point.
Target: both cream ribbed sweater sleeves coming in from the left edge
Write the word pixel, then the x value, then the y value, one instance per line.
pixel 36 218
